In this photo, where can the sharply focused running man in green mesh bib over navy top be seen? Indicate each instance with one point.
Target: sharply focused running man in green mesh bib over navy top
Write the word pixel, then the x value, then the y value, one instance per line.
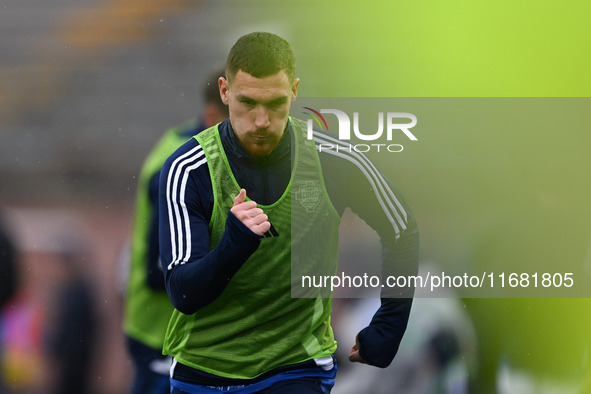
pixel 228 257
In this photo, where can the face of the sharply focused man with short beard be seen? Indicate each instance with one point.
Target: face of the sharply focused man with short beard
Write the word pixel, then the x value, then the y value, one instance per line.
pixel 259 108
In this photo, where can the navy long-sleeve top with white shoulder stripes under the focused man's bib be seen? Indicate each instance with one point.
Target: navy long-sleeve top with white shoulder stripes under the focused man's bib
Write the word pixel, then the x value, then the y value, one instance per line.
pixel 195 276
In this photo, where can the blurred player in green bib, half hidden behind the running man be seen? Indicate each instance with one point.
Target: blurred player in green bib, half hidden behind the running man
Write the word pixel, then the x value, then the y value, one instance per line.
pixel 148 308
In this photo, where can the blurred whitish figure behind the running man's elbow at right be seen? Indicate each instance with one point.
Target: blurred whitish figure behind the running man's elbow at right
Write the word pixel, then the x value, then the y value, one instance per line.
pixel 436 356
